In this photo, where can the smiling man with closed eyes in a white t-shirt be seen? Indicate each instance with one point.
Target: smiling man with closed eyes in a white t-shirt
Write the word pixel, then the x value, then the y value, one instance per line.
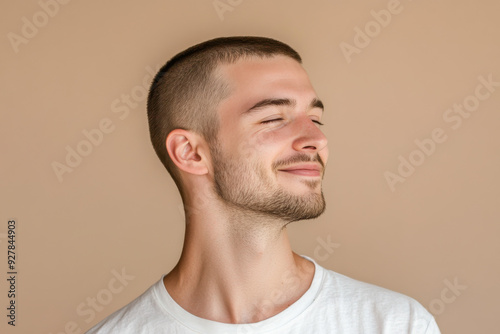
pixel 236 123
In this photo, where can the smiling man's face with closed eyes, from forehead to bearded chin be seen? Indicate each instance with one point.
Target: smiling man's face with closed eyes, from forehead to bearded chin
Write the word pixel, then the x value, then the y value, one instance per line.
pixel 269 155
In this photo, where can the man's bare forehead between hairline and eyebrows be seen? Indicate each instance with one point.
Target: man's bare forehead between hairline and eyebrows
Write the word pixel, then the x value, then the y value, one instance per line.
pixel 253 79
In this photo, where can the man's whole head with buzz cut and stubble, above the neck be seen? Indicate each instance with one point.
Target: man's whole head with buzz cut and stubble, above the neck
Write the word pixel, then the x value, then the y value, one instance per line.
pixel 252 103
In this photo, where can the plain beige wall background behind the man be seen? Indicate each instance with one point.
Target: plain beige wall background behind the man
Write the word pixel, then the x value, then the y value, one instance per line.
pixel 118 209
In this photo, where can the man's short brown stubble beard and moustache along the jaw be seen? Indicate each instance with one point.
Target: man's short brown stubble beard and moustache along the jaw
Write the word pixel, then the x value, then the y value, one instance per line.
pixel 247 187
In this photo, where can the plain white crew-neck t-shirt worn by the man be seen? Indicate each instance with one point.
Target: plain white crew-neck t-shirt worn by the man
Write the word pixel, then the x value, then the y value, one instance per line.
pixel 333 303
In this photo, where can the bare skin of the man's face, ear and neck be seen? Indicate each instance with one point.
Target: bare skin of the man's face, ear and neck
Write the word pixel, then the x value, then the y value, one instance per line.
pixel 237 265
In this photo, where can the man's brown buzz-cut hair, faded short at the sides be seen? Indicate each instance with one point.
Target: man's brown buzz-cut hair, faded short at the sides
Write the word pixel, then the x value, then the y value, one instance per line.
pixel 186 91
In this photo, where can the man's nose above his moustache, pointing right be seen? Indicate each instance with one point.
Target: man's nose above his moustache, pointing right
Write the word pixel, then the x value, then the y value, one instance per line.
pixel 309 138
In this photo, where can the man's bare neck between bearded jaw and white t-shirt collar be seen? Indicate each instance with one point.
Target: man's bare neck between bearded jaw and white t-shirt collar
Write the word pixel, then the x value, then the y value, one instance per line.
pixel 237 268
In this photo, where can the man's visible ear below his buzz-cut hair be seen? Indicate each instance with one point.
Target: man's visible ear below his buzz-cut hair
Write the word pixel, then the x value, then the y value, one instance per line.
pixel 187 150
